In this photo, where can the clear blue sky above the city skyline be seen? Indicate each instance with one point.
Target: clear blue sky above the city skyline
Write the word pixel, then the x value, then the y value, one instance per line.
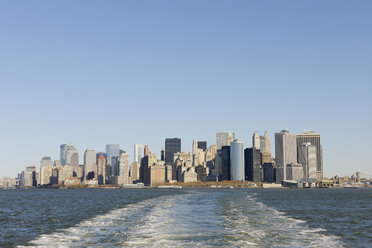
pixel 92 73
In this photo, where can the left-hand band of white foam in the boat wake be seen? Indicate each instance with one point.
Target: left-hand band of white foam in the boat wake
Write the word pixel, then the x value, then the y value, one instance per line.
pixel 110 229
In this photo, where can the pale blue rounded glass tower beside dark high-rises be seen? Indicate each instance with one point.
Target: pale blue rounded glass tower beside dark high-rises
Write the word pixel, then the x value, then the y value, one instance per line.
pixel 237 160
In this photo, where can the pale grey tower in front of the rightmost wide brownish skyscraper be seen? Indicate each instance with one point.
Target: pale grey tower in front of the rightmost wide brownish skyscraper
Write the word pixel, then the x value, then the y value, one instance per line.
pixel 307 157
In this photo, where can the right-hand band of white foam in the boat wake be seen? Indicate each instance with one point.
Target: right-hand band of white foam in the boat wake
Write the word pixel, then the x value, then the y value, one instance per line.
pixel 254 224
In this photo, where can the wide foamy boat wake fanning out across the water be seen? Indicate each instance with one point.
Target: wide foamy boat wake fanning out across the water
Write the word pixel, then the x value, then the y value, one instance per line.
pixel 195 219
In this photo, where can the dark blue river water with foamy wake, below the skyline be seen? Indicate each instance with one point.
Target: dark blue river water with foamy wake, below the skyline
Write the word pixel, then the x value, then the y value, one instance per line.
pixel 186 218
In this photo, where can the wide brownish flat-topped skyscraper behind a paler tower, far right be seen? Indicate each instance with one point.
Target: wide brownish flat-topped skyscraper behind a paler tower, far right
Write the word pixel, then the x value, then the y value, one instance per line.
pixel 314 139
